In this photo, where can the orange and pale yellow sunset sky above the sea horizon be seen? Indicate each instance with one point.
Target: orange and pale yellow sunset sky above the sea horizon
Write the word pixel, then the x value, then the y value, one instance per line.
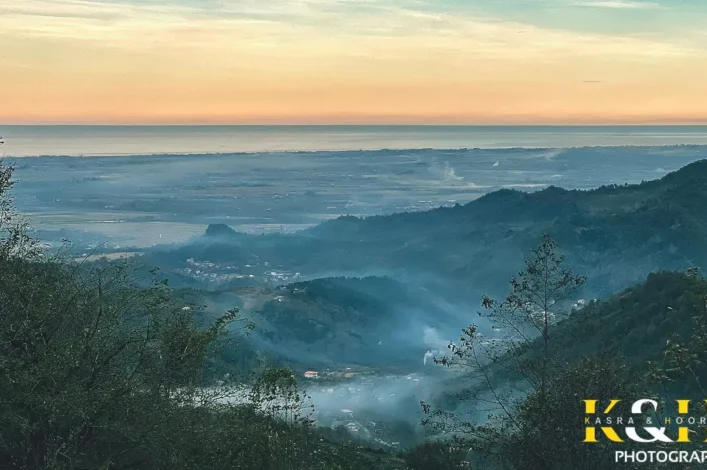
pixel 353 61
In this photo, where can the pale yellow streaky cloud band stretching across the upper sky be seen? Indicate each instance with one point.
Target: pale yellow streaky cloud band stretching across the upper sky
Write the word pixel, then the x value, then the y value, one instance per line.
pixel 377 30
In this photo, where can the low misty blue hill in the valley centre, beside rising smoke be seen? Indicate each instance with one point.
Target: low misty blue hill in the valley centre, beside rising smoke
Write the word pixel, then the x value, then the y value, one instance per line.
pixel 372 321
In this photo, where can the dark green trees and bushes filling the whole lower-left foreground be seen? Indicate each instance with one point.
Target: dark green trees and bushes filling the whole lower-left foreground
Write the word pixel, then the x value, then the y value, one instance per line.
pixel 105 369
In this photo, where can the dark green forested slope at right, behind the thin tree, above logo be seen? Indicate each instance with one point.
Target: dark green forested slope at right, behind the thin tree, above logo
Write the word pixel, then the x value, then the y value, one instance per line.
pixel 630 328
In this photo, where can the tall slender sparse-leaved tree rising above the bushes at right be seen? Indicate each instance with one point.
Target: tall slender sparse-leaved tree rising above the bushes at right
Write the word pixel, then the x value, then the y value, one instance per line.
pixel 524 352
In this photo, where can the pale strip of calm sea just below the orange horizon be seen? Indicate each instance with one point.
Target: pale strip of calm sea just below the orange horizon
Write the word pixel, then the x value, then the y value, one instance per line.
pixel 141 140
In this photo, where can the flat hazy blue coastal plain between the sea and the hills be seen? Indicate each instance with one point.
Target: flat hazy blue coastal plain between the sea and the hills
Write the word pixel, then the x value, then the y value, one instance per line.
pixel 146 200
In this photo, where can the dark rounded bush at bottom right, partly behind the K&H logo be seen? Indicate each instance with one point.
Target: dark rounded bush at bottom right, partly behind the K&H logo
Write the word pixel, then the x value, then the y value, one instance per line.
pixel 546 430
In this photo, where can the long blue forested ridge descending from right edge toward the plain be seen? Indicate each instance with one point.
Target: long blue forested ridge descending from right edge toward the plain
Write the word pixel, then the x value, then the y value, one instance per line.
pixel 615 235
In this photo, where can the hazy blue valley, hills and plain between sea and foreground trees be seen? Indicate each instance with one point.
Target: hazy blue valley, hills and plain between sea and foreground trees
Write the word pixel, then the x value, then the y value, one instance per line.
pixel 364 266
